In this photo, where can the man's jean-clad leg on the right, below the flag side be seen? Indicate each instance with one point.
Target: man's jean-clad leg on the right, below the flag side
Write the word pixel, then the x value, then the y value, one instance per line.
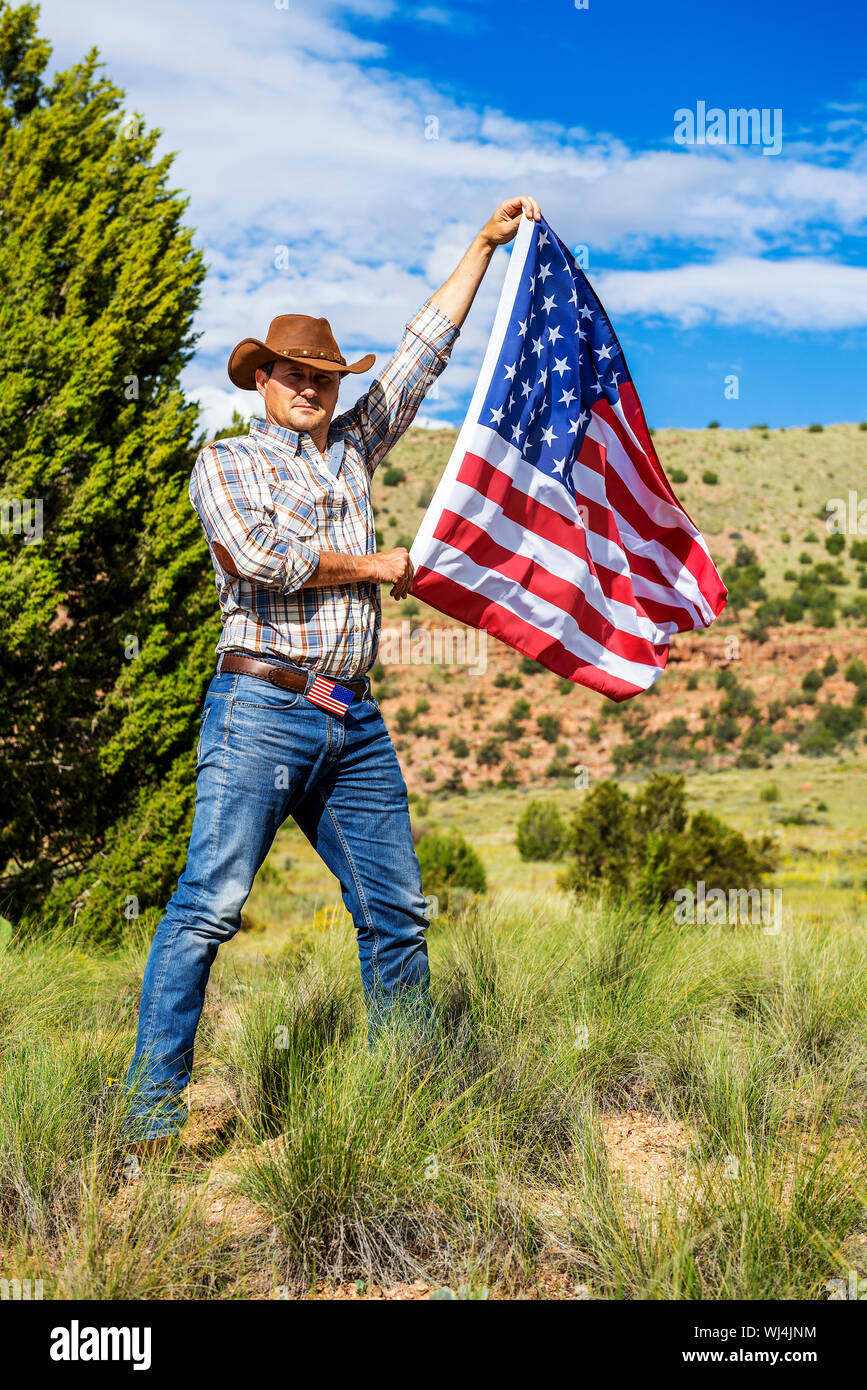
pixel 359 822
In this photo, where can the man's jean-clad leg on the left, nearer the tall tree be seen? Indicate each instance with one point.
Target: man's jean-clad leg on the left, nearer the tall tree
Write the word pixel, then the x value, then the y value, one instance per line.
pixel 251 769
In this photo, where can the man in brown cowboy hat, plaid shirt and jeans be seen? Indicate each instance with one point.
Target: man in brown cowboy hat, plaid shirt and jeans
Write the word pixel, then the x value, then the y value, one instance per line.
pixel 290 526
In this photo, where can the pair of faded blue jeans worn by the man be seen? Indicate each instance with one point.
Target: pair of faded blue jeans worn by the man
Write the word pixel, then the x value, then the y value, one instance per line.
pixel 266 754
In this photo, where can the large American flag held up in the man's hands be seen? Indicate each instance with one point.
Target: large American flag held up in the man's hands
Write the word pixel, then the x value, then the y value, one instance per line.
pixel 555 528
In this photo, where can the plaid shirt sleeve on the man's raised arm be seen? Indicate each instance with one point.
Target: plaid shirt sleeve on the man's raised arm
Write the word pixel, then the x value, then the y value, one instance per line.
pixel 388 409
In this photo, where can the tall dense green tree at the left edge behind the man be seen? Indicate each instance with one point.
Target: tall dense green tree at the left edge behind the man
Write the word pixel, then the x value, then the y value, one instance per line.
pixel 109 622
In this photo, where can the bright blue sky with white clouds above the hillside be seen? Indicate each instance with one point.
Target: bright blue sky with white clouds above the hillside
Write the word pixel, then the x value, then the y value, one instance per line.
pixel 341 155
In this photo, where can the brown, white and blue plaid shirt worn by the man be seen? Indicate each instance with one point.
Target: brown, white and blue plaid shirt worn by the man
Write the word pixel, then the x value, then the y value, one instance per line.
pixel 273 502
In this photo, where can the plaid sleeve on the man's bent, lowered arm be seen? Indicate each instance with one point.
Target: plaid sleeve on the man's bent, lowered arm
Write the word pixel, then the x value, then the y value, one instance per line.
pixel 242 537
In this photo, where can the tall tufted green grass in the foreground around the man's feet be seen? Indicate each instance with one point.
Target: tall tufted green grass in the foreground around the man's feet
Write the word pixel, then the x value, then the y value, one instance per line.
pixel 477 1157
